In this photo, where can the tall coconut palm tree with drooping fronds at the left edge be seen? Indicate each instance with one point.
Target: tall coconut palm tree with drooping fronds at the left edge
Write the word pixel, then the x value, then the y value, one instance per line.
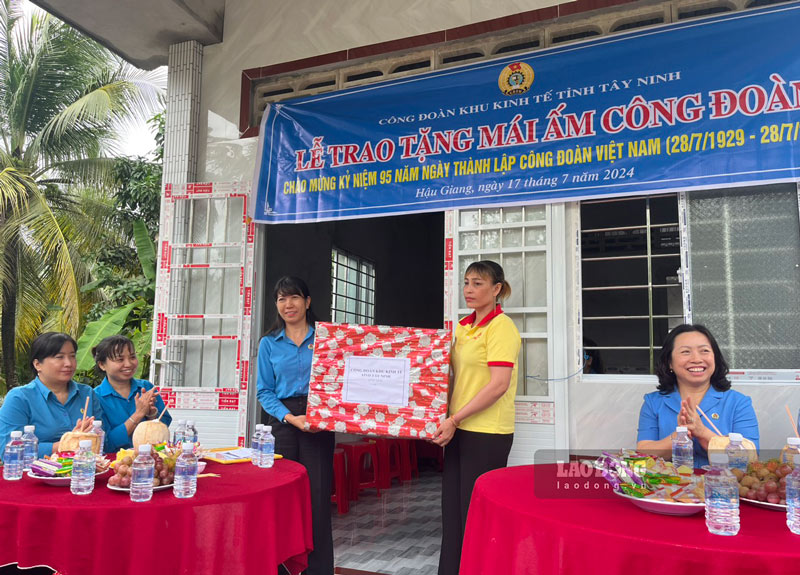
pixel 64 101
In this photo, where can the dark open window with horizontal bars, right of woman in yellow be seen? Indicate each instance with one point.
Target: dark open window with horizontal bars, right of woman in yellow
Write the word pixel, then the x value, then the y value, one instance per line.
pixel 631 292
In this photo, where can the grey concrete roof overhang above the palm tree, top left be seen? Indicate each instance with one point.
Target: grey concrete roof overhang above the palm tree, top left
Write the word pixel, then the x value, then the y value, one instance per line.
pixel 141 32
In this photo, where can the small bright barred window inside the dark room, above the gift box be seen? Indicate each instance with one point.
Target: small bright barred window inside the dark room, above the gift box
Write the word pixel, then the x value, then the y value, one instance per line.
pixel 353 288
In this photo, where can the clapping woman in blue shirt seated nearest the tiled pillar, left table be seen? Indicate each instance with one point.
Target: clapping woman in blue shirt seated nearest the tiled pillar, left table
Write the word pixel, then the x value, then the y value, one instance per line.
pixel 126 401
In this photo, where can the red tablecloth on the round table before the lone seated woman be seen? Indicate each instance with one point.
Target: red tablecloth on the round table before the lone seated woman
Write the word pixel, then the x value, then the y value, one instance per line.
pixel 511 531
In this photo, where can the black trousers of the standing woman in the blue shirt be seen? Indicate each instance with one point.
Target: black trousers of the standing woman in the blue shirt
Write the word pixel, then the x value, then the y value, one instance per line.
pixel 315 452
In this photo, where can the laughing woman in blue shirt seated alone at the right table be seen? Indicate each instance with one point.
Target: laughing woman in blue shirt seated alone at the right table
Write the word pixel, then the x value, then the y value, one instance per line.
pixel 692 372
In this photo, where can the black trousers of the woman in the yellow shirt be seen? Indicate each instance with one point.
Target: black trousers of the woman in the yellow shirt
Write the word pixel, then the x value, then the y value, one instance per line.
pixel 468 456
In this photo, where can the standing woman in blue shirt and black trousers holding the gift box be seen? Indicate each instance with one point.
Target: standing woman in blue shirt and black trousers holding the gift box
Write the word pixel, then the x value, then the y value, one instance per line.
pixel 284 371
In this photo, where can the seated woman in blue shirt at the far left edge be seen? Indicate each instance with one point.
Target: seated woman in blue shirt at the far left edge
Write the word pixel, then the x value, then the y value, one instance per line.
pixel 52 402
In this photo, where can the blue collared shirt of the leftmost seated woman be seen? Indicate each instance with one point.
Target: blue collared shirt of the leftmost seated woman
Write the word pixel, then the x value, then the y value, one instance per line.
pixel 35 404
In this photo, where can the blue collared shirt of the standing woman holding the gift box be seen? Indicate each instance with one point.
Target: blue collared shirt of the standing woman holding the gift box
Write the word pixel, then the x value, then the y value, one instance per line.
pixel 284 370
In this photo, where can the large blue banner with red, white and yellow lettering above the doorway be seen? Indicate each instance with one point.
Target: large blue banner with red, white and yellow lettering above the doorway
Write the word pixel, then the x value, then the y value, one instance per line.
pixel 701 104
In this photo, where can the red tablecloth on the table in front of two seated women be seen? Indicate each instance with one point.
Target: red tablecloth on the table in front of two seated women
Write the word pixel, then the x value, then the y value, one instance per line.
pixel 246 522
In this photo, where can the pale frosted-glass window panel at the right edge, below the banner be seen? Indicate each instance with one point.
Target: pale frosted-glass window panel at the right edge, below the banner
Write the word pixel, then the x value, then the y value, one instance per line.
pixel 745 265
